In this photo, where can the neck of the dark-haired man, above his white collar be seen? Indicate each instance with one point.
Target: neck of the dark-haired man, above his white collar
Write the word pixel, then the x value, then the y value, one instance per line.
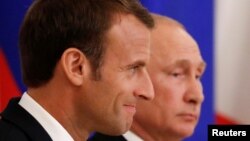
pixel 62 109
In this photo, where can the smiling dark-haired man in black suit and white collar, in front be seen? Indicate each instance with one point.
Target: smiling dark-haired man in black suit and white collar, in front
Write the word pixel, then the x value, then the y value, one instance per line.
pixel 84 65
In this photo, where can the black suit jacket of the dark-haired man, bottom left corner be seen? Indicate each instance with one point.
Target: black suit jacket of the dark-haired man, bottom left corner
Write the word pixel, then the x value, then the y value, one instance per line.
pixel 16 124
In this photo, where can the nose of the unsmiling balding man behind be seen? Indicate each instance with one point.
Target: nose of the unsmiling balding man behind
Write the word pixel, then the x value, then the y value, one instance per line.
pixel 194 93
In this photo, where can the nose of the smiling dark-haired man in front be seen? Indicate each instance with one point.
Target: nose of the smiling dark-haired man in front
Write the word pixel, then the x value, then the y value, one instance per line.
pixel 144 88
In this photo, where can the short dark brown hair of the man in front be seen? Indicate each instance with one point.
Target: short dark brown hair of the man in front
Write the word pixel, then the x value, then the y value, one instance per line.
pixel 52 26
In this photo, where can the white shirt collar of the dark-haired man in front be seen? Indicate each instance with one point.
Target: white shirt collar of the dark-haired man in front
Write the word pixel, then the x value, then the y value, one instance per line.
pixel 49 123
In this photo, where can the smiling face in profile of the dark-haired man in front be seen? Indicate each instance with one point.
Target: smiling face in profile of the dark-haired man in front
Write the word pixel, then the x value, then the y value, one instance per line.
pixel 124 77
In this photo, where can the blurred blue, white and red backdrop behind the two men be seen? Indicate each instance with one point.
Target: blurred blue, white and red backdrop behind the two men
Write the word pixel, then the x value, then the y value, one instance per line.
pixel 221 28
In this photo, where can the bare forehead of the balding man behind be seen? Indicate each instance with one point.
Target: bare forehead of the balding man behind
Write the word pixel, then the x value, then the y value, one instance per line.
pixel 172 43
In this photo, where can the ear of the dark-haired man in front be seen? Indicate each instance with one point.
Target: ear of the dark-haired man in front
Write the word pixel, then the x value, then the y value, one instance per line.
pixel 73 63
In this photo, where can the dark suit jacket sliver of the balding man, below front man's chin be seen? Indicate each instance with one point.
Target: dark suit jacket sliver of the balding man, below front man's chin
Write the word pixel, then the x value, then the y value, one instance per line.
pixel 102 137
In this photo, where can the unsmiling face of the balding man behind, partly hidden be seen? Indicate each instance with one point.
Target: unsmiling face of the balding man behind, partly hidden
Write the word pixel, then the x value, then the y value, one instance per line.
pixel 175 69
